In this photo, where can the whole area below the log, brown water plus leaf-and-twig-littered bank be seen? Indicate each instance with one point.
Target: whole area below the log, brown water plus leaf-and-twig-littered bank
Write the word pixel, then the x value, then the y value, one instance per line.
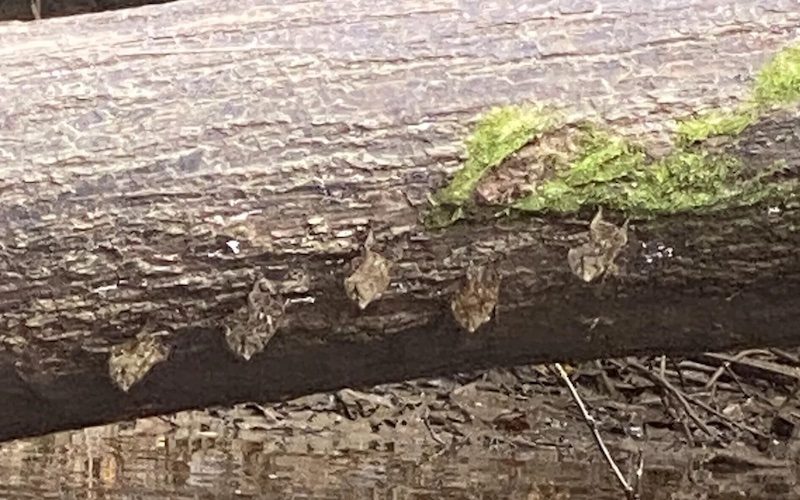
pixel 713 426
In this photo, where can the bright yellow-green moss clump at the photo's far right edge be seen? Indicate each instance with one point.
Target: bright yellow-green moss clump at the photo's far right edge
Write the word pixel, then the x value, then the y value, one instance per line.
pixel 778 82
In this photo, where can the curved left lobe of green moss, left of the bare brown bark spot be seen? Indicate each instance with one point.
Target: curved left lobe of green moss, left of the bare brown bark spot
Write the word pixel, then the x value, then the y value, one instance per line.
pixel 498 134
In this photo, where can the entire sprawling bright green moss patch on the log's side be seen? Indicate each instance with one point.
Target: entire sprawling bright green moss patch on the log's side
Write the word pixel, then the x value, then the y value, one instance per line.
pixel 607 170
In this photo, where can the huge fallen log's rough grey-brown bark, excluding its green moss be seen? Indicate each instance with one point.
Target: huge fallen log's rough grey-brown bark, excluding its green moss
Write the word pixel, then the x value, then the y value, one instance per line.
pixel 207 202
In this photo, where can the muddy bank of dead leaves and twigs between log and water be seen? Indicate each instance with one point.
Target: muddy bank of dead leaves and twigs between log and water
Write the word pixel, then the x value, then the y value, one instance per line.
pixel 718 417
